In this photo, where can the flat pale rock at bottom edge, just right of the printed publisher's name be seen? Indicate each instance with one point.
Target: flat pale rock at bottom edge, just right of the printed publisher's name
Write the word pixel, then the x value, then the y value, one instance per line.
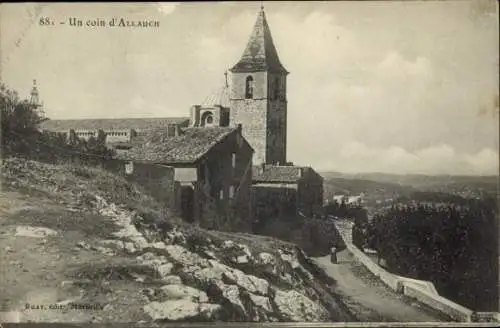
pixel 181 310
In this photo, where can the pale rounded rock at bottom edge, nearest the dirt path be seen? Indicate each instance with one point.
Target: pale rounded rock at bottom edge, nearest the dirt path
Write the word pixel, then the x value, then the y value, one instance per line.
pixel 299 308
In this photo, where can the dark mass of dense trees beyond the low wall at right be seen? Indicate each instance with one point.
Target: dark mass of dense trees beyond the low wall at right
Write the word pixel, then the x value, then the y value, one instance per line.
pixel 453 245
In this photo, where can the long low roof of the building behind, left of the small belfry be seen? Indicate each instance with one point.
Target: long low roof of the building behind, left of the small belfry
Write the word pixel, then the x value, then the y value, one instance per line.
pixel 138 124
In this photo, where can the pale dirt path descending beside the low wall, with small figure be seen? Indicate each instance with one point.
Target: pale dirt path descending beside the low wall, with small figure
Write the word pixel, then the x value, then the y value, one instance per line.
pixel 367 297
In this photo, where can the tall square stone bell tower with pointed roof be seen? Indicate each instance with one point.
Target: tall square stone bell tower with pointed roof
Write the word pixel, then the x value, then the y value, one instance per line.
pixel 258 96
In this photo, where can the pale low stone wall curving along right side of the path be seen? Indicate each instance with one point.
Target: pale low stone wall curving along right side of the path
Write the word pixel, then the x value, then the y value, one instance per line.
pixel 424 291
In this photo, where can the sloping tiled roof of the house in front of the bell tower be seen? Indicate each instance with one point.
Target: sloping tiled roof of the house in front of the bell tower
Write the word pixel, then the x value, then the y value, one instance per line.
pixel 188 147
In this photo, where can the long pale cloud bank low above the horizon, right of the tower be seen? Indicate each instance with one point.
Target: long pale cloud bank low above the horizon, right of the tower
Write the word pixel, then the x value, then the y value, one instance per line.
pixel 440 159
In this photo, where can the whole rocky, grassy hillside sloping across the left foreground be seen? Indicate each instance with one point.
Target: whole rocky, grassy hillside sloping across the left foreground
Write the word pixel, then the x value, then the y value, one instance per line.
pixel 111 246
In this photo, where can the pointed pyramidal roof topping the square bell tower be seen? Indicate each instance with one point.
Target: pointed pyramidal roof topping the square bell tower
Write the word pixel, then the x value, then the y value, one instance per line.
pixel 260 53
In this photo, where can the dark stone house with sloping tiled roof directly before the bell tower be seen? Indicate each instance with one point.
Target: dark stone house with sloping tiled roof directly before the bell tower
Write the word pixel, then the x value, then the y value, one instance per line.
pixel 213 169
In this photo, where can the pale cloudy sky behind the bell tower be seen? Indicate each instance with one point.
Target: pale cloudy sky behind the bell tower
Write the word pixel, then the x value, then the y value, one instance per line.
pixel 383 86
